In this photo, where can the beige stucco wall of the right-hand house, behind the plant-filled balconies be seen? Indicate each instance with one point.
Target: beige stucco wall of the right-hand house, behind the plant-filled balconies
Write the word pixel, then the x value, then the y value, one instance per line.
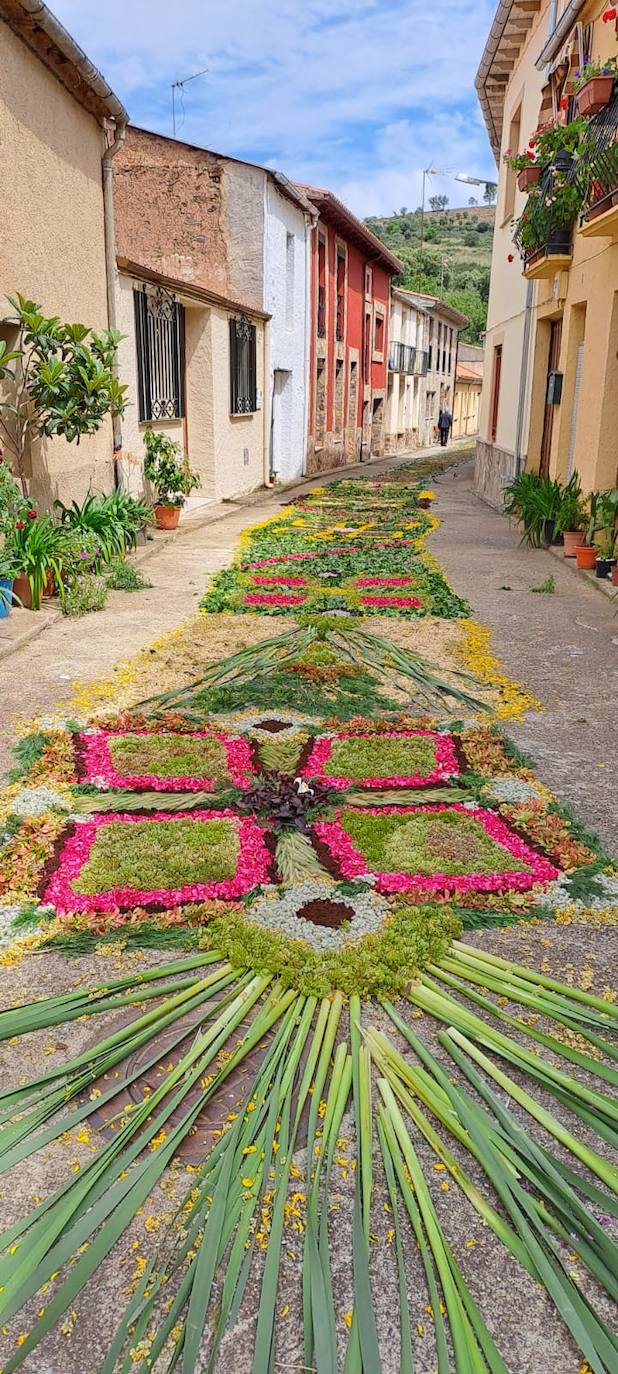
pixel 586 299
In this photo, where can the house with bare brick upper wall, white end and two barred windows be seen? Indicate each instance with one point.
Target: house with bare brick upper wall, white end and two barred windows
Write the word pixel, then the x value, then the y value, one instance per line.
pixel 212 258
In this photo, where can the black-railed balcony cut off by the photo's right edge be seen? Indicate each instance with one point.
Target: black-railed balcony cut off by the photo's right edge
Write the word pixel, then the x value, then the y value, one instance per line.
pixel 599 179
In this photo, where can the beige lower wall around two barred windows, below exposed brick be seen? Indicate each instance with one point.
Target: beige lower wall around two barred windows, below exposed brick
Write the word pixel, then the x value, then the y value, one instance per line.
pixel 214 440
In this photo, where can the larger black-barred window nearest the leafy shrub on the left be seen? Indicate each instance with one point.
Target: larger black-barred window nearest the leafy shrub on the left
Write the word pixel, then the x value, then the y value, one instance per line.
pixel 160 339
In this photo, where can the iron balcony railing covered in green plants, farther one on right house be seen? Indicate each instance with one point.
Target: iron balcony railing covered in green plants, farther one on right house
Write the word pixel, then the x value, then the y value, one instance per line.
pixel 546 227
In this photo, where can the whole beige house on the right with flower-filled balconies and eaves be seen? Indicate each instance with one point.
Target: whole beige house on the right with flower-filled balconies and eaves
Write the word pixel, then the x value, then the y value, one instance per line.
pixel 550 401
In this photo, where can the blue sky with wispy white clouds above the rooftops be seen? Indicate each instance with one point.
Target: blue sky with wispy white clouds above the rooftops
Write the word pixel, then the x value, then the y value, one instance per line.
pixel 354 95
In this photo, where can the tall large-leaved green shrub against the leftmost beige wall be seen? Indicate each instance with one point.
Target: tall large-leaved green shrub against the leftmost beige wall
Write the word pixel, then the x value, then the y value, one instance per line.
pixel 64 380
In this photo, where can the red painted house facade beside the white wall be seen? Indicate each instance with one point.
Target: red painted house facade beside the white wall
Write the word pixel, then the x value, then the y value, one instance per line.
pixel 350 337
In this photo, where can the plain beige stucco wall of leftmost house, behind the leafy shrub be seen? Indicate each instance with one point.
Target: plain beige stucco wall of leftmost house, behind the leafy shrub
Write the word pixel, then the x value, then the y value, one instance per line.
pixel 53 234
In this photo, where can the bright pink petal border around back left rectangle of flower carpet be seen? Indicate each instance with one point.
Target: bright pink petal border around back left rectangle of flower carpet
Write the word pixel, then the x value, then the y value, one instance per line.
pixel 100 766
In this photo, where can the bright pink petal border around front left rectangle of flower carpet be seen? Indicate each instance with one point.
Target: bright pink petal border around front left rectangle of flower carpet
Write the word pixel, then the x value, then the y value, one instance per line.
pixel 253 866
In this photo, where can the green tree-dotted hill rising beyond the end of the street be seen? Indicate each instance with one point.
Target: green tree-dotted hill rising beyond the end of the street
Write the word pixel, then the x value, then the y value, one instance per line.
pixel 457 256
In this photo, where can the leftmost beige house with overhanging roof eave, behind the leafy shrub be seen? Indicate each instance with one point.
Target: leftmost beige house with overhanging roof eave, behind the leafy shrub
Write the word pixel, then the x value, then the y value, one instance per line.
pixel 60 128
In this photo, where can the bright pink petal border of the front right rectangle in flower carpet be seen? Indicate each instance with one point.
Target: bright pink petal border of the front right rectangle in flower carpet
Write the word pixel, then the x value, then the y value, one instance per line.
pixel 354 865
